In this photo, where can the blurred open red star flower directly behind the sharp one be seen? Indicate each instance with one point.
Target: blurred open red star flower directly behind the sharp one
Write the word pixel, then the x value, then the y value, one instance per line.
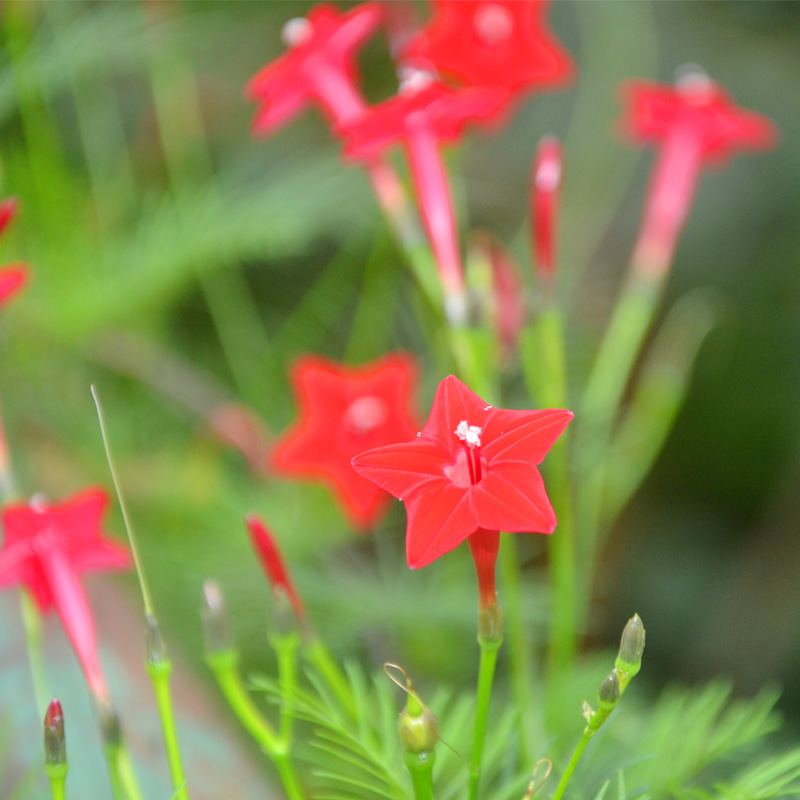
pixel 342 412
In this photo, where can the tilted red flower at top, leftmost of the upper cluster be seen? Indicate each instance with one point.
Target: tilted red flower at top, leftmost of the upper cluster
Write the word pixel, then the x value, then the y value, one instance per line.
pixel 319 66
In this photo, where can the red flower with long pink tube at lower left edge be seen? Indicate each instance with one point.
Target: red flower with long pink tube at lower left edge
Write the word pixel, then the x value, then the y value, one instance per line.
pixel 47 548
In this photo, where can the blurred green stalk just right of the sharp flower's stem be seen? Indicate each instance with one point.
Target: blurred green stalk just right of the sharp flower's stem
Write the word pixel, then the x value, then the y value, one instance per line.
pixel 520 662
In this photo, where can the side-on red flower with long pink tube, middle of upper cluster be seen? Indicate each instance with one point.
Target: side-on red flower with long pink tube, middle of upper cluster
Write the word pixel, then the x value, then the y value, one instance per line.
pixel 422 117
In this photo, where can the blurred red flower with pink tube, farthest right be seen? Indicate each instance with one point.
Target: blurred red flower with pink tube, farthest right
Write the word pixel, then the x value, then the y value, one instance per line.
pixel 693 124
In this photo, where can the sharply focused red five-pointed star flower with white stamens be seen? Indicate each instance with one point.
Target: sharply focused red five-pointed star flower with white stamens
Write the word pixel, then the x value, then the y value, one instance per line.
pixel 472 468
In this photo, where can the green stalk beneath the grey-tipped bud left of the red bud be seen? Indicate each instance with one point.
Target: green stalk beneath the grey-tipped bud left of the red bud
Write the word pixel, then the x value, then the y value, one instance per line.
pixel 223 665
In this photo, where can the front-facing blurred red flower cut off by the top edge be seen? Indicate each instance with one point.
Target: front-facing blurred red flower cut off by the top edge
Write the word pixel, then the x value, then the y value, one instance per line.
pixel 504 44
